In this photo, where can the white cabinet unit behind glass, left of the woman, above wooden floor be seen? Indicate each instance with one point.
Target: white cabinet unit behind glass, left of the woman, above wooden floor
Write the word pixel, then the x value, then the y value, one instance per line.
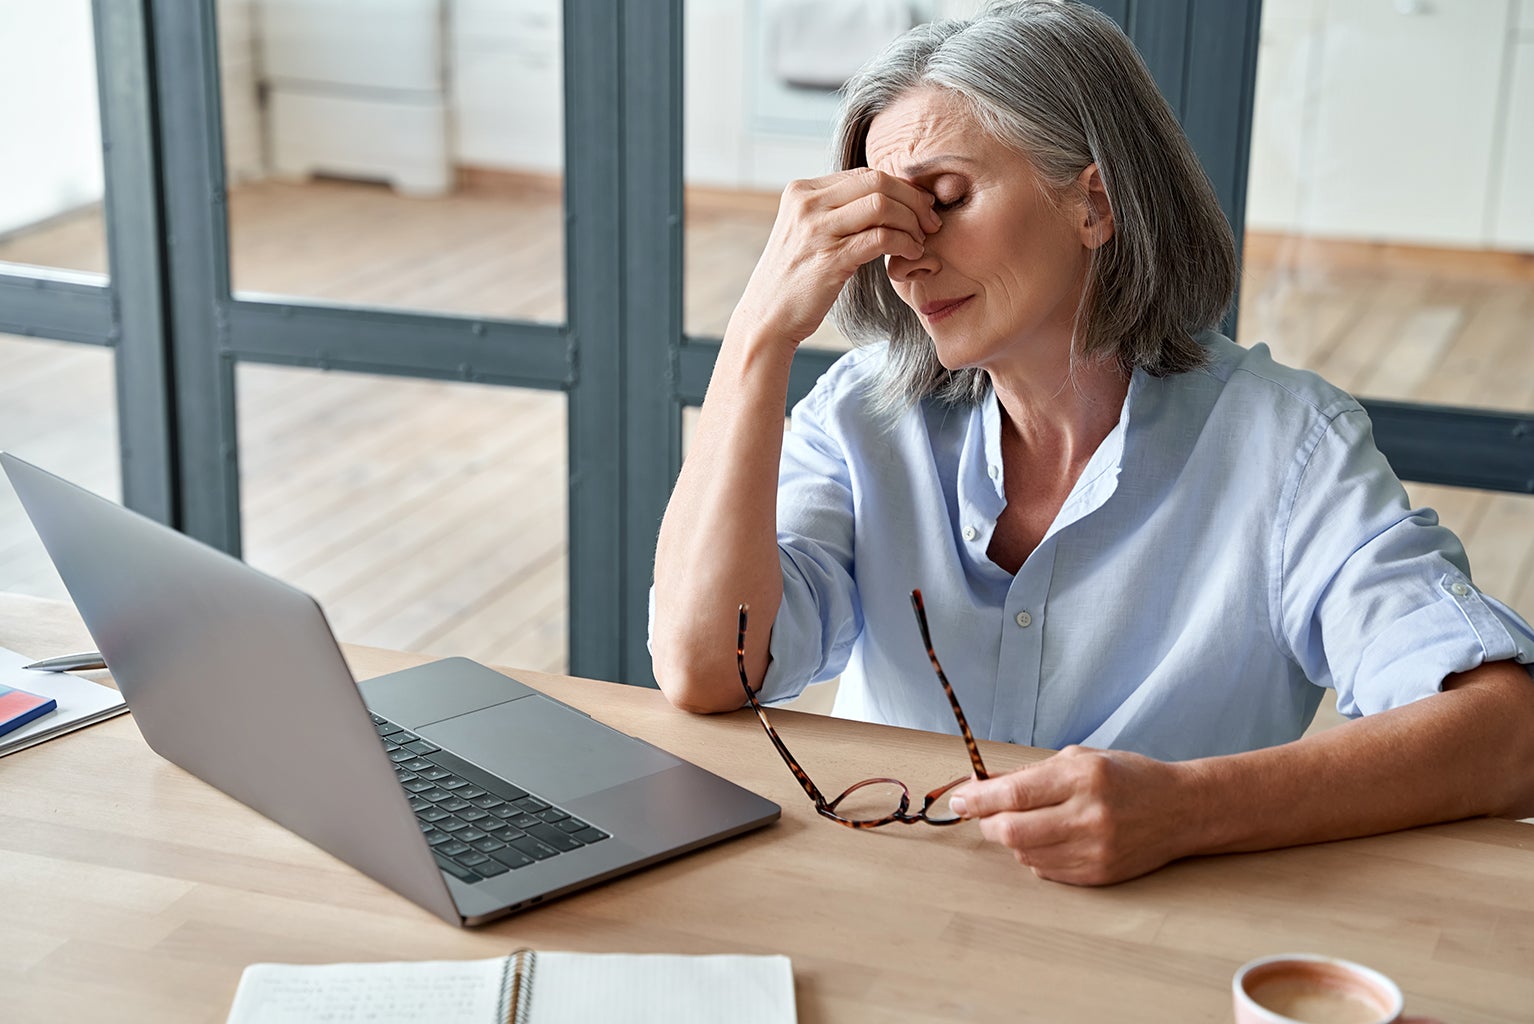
pixel 358 88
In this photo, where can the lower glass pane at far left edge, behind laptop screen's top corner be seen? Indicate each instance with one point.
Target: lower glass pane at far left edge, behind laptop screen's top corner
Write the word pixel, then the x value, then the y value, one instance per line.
pixel 58 412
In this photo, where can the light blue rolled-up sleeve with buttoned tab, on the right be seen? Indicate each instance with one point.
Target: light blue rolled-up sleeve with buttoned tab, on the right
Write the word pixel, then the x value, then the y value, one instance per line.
pixel 1375 597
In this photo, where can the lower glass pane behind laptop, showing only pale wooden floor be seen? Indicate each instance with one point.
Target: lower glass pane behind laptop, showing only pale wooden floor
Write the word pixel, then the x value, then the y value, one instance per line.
pixel 423 516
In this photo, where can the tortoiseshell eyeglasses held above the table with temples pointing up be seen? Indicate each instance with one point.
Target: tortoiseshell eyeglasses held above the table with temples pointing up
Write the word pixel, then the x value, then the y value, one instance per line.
pixel 875 802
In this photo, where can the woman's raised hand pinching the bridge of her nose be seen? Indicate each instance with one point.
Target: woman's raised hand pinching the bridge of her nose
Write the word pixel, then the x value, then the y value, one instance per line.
pixel 826 229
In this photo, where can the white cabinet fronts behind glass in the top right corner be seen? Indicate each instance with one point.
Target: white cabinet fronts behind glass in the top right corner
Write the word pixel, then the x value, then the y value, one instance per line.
pixel 1394 122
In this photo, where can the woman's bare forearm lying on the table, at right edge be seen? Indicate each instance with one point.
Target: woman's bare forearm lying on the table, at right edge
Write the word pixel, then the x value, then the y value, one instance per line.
pixel 1467 752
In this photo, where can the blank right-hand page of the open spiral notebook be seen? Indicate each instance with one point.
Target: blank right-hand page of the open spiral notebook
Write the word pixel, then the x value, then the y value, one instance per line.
pixel 660 990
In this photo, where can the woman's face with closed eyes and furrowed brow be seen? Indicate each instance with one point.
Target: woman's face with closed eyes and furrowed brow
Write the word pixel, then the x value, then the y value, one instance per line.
pixel 1001 283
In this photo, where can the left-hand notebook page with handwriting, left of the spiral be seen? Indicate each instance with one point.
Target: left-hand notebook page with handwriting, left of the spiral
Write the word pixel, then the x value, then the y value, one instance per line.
pixel 438 991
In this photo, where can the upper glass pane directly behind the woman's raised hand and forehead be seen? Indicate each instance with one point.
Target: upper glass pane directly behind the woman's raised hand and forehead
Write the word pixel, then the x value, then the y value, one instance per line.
pixel 760 113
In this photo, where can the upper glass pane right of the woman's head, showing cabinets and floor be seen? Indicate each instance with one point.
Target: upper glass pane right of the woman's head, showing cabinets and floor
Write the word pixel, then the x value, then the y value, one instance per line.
pixel 1389 226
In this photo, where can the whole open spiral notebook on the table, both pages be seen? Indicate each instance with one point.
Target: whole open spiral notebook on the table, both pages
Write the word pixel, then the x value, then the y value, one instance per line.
pixel 525 988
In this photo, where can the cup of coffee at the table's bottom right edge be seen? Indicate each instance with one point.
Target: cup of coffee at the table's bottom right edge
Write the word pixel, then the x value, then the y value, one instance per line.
pixel 1312 990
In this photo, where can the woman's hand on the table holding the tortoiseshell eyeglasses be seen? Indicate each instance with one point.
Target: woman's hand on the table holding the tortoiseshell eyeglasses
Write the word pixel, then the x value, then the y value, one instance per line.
pixel 1088 816
